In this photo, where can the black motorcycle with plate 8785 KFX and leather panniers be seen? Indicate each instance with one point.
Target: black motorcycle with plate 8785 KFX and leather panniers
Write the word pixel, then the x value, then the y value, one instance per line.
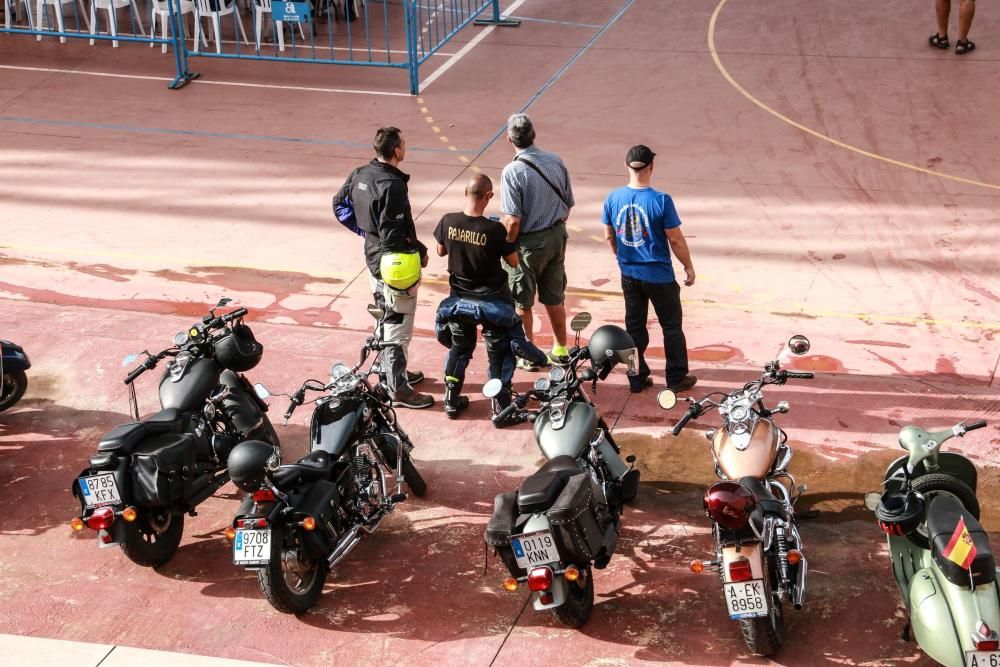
pixel 149 473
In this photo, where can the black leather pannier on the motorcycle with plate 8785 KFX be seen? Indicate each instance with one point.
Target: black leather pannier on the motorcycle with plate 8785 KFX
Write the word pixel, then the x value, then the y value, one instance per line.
pixel 162 469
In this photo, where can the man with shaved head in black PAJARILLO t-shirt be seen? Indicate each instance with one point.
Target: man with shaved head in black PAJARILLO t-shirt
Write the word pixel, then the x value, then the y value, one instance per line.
pixel 474 246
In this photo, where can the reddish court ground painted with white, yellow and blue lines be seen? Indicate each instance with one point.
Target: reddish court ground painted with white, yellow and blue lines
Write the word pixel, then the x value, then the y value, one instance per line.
pixel 835 175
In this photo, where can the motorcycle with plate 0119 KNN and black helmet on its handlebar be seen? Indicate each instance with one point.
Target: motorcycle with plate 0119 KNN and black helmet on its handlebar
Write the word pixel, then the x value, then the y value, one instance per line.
pixel 565 518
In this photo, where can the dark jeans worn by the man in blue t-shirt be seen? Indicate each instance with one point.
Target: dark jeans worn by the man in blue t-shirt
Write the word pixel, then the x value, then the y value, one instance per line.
pixel 666 300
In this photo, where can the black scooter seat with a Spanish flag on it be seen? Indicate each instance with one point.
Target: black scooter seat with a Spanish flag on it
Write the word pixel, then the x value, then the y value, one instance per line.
pixel 943 516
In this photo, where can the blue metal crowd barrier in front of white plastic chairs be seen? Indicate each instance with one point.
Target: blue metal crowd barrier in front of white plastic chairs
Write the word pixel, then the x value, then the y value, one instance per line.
pixel 400 34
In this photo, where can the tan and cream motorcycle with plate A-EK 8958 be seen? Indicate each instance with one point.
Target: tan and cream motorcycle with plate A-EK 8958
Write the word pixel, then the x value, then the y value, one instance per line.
pixel 758 552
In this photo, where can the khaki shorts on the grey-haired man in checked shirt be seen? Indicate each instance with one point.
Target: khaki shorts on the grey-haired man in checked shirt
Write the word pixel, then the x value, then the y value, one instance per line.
pixel 542 268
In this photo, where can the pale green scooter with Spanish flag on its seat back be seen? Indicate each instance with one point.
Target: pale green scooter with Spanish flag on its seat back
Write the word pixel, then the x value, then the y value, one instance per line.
pixel 940 554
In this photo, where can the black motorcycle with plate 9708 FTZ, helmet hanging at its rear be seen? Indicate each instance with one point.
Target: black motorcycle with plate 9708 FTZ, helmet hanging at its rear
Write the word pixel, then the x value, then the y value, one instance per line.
pixel 300 520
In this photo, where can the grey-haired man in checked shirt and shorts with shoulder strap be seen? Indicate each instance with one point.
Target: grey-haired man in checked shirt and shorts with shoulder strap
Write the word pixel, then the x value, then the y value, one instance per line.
pixel 535 199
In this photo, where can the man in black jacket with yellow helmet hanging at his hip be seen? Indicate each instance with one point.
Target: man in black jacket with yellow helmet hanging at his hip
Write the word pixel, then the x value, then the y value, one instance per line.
pixel 379 197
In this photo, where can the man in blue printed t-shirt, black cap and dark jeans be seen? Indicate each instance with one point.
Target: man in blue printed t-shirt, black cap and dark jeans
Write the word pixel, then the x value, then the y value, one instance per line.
pixel 641 227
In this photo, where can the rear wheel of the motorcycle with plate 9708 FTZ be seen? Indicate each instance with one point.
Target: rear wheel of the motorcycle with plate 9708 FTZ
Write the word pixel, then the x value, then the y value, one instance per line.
pixel 290 581
